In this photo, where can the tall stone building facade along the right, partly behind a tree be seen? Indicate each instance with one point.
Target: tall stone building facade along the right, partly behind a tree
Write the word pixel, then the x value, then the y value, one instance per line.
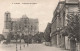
pixel 59 22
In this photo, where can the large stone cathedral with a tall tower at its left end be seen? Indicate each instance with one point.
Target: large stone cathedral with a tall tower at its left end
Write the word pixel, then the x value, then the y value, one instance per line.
pixel 22 25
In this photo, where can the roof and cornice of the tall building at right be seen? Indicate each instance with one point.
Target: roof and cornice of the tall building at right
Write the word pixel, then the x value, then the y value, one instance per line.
pixel 61 6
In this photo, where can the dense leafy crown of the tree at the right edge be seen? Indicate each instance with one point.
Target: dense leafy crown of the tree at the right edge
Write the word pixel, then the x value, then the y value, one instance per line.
pixel 73 27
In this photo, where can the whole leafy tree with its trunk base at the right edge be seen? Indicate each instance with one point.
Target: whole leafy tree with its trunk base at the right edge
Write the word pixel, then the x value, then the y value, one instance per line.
pixel 73 30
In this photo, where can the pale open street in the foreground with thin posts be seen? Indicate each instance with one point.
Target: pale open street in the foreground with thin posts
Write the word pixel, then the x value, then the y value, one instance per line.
pixel 31 47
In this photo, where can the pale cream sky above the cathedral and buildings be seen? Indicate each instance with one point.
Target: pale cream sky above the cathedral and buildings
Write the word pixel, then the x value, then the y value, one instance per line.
pixel 42 10
